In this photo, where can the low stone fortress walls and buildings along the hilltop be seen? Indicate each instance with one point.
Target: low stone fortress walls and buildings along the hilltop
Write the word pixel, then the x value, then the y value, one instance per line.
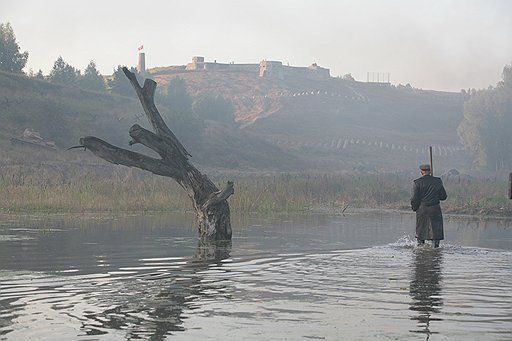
pixel 266 69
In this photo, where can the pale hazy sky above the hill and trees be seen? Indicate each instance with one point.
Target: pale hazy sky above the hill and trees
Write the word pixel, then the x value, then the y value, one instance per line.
pixel 434 44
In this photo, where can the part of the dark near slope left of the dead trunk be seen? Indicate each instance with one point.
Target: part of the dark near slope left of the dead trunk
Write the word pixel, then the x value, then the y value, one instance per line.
pixel 62 114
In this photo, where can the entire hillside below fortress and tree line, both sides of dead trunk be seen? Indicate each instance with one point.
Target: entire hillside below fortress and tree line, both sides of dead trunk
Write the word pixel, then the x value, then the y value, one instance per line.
pixel 290 124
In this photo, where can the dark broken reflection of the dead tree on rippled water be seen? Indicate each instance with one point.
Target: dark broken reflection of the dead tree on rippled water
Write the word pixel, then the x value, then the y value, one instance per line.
pixel 152 311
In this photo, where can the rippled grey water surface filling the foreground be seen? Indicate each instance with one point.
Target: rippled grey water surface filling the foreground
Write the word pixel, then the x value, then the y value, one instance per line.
pixel 359 276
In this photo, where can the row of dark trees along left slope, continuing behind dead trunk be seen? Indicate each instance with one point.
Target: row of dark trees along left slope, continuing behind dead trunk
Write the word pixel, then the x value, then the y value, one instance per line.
pixel 188 111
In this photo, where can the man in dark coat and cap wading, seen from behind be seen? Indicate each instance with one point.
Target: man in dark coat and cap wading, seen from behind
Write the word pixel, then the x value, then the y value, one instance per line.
pixel 427 192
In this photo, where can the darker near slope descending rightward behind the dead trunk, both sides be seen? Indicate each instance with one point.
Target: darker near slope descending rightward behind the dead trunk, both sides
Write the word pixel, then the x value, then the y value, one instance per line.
pixel 64 114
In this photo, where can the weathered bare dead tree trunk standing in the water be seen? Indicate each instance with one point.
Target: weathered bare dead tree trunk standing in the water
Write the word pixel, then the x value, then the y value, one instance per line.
pixel 210 203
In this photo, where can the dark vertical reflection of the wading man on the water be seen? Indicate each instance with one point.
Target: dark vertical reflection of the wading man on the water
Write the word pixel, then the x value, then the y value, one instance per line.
pixel 425 288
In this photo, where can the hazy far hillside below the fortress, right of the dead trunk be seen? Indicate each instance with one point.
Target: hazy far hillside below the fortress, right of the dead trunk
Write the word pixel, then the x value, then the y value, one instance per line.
pixel 338 124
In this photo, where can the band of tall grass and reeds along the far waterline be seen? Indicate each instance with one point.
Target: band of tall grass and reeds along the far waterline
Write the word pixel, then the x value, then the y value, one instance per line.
pixel 57 189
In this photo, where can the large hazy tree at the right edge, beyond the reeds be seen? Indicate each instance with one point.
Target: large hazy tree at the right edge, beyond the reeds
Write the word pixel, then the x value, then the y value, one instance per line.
pixel 484 130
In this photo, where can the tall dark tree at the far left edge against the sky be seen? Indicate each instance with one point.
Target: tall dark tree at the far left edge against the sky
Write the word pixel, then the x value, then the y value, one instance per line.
pixel 11 59
